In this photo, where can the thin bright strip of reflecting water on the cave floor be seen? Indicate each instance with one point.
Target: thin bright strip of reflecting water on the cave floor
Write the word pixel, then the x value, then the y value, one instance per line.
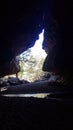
pixel 38 95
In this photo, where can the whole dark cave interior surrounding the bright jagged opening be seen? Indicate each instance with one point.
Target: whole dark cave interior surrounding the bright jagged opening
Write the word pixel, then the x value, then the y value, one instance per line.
pixel 20 24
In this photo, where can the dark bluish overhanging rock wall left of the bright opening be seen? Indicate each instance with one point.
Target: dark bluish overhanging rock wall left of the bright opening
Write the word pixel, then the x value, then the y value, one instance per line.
pixel 20 24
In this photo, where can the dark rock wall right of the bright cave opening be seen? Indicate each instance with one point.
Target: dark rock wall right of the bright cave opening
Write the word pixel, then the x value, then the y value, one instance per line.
pixel 58 41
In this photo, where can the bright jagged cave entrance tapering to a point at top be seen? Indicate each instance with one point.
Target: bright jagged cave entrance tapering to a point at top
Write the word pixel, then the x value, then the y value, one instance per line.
pixel 31 61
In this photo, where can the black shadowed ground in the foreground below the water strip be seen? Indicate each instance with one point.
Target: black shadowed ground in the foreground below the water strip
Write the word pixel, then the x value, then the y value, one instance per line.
pixel 35 114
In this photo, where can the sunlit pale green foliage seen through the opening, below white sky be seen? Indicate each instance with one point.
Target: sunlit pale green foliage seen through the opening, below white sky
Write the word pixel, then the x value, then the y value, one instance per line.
pixel 30 66
